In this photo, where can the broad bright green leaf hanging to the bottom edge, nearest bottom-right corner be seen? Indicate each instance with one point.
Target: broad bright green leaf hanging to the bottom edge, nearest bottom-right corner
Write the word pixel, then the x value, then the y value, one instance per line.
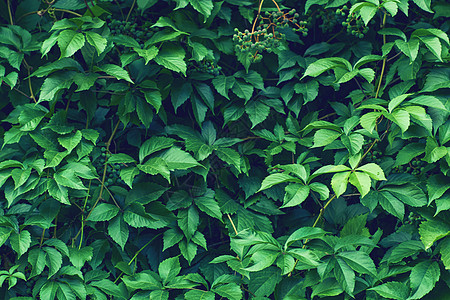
pixel 423 278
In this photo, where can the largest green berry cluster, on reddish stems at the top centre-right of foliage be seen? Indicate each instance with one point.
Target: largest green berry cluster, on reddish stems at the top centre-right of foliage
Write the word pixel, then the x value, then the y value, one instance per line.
pixel 267 37
